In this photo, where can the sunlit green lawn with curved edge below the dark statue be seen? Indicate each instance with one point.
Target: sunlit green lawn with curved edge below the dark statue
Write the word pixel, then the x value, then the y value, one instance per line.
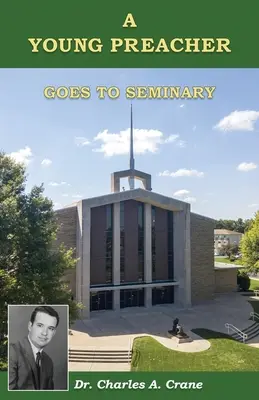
pixel 225 354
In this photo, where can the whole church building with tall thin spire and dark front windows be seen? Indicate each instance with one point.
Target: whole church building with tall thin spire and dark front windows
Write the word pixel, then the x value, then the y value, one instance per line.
pixel 138 248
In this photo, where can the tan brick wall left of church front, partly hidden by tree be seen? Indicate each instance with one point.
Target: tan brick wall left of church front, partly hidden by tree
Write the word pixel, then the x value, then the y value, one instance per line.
pixel 67 228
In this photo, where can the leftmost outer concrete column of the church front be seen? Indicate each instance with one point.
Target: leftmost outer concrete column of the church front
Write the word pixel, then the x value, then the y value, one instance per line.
pixel 86 259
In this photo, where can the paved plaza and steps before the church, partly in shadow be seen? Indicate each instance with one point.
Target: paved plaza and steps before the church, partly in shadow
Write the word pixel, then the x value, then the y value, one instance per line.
pixel 110 331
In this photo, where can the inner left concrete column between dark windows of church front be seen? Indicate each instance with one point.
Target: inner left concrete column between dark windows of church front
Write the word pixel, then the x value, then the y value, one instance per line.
pixel 116 255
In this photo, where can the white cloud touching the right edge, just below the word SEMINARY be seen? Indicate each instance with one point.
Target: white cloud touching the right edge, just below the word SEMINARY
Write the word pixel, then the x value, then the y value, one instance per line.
pixel 238 121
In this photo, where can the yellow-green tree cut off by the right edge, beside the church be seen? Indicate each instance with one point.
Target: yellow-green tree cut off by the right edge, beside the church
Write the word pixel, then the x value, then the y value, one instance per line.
pixel 250 246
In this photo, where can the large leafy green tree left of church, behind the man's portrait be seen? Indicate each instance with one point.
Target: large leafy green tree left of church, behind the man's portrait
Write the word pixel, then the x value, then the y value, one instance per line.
pixel 30 268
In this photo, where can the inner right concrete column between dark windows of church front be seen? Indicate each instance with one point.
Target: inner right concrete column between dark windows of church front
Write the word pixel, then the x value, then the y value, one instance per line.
pixel 148 253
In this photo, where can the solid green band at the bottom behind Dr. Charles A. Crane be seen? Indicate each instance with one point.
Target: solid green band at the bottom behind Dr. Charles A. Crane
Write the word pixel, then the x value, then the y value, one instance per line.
pixel 237 385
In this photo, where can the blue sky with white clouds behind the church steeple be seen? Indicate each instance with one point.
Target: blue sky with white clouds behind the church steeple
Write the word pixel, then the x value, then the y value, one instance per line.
pixel 205 152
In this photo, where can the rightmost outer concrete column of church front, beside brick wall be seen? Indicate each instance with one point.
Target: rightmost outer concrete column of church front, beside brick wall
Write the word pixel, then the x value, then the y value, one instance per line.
pixel 182 265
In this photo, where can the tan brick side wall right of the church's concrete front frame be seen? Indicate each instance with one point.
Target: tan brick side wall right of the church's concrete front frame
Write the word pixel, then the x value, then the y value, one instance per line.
pixel 202 258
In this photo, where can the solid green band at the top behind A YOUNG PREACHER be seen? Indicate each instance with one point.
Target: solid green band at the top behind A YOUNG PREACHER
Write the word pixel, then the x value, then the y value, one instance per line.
pixel 166 19
